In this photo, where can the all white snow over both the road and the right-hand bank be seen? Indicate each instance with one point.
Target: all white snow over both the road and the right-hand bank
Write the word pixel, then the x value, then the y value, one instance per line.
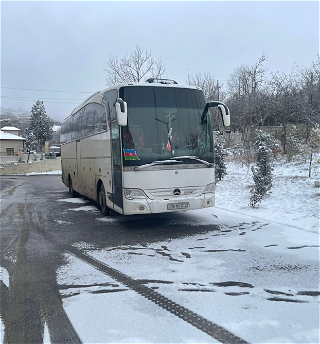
pixel 254 272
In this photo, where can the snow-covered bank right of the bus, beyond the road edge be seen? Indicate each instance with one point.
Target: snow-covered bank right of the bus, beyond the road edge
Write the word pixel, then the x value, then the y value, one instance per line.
pixel 293 200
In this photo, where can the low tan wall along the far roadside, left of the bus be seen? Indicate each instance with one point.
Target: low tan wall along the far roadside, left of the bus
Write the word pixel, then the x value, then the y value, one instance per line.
pixel 46 165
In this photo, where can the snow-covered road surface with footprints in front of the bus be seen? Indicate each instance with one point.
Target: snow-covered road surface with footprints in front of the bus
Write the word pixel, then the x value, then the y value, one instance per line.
pixel 257 279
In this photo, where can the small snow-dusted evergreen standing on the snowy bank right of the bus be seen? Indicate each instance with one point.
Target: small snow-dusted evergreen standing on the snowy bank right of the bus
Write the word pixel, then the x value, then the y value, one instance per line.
pixel 262 172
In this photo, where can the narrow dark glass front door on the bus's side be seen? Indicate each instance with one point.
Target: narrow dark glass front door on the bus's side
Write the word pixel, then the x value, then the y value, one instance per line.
pixel 116 166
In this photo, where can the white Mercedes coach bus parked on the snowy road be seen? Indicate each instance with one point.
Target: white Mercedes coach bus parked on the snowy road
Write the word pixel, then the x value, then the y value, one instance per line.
pixel 142 148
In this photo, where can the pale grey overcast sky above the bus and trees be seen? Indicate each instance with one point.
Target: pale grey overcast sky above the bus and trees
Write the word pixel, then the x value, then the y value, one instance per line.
pixel 62 47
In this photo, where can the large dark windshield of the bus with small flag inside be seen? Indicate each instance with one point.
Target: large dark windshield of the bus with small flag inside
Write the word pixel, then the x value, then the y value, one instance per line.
pixel 164 123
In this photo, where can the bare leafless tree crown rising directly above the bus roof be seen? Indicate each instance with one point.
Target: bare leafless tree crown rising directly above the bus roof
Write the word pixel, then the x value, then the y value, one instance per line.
pixel 137 66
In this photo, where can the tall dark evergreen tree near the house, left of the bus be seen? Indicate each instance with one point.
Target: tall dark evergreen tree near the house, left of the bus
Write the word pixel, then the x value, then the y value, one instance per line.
pixel 40 124
